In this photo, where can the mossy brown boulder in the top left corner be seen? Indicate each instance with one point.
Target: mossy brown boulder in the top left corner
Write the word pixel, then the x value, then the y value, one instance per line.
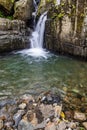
pixel 7 5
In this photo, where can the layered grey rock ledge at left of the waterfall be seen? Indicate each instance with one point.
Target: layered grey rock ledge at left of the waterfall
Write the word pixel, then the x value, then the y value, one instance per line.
pixel 12 35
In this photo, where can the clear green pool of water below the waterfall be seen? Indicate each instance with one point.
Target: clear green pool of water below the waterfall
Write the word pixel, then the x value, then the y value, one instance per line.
pixel 20 74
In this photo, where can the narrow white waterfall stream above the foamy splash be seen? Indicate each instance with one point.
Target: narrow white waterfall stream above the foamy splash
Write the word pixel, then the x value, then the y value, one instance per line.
pixel 36 39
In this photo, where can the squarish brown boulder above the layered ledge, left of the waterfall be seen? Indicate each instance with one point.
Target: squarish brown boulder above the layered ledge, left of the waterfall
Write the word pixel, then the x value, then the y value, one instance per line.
pixel 23 9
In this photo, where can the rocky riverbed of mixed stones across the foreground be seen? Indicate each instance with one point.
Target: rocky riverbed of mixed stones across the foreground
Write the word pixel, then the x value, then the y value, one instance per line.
pixel 48 111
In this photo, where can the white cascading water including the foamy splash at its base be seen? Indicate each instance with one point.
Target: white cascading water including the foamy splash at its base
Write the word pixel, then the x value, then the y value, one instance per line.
pixel 37 39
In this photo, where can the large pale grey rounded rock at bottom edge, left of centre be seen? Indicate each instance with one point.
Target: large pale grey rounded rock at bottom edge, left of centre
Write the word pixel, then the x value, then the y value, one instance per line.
pixel 25 125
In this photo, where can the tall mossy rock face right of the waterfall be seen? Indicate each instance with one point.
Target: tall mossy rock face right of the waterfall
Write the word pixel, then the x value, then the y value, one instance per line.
pixel 66 28
